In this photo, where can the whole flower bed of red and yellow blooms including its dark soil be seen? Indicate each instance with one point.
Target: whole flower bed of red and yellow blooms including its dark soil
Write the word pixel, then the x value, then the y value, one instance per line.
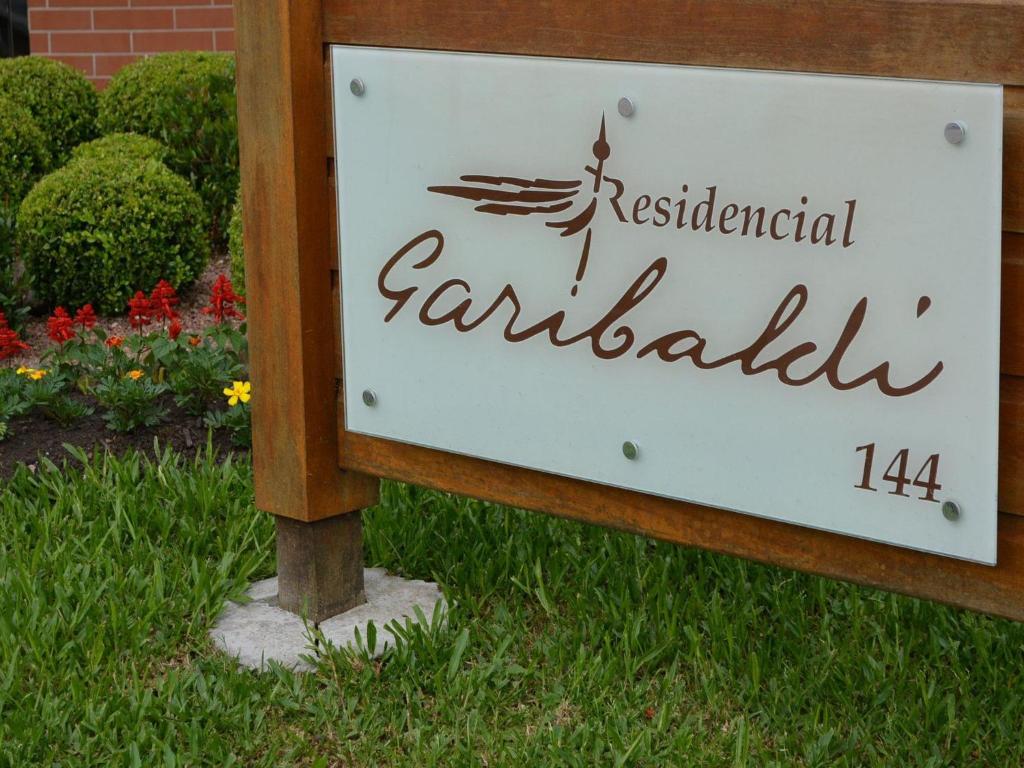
pixel 159 381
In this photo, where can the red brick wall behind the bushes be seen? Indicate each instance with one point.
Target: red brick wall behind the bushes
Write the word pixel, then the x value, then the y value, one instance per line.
pixel 100 37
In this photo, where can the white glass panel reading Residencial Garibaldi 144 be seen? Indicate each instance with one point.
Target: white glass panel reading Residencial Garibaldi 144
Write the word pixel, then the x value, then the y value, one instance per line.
pixel 771 293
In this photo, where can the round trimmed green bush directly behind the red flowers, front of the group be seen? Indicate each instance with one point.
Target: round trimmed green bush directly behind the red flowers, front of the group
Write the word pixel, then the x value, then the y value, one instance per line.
pixel 98 229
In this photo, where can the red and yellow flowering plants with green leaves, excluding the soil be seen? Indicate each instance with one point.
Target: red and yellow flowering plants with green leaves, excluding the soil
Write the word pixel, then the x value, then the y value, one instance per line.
pixel 132 376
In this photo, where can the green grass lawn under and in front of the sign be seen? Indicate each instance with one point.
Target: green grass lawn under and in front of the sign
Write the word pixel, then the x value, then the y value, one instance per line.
pixel 567 645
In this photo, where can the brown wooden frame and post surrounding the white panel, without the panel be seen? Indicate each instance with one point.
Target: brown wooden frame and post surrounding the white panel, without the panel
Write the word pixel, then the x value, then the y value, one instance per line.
pixel 316 477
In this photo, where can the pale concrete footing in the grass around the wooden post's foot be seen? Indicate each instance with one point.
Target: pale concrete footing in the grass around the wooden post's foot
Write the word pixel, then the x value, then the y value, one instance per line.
pixel 260 632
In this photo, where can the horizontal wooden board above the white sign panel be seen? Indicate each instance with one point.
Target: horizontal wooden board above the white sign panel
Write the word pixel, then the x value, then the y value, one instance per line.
pixel 978 41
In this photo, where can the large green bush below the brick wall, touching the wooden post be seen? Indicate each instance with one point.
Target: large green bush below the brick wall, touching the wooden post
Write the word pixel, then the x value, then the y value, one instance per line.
pixel 187 101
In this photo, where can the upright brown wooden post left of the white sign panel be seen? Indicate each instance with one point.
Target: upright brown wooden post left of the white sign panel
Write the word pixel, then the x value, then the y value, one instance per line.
pixel 292 330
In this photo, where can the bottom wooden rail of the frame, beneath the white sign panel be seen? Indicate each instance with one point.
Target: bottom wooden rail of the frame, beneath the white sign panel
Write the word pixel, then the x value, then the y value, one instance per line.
pixel 997 590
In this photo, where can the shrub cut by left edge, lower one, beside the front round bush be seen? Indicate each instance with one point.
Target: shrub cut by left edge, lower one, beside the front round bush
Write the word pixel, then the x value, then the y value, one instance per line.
pixel 24 159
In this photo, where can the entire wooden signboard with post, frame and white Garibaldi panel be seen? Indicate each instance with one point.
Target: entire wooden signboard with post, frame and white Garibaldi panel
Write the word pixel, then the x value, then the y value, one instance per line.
pixel 386 108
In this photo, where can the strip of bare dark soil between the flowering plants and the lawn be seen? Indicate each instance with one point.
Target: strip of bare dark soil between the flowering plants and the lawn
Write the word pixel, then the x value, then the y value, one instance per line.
pixel 36 438
